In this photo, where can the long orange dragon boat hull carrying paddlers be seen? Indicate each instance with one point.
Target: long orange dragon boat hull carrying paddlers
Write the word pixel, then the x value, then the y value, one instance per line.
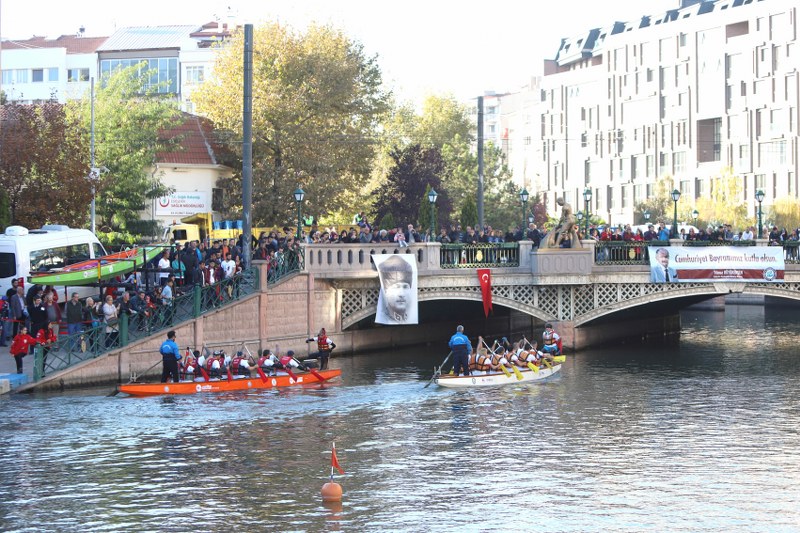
pixel 237 383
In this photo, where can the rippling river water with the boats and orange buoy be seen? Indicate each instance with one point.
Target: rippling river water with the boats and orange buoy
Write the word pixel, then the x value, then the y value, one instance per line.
pixel 698 434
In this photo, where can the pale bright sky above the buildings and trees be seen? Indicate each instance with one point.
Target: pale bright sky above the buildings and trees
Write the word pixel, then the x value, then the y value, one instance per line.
pixel 463 48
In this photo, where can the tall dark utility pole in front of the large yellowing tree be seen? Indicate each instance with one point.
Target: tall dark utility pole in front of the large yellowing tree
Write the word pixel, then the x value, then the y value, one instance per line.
pixel 247 145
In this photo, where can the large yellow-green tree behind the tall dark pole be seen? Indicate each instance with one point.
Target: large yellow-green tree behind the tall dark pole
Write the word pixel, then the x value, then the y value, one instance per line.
pixel 317 101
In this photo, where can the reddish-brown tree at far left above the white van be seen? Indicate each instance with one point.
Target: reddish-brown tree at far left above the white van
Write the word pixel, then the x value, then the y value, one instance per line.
pixel 43 165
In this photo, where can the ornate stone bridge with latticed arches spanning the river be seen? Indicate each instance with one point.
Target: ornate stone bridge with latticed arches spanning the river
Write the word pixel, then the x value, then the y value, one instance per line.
pixel 575 288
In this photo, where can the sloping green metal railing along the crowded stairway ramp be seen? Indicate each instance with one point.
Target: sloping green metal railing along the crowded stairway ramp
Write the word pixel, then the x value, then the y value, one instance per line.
pixel 92 342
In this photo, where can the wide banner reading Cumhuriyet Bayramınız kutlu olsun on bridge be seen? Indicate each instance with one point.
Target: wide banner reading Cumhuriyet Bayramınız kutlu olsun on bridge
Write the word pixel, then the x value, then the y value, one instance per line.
pixel 676 264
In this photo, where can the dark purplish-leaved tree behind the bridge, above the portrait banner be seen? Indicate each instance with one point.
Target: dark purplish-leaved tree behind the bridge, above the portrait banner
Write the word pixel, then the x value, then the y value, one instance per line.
pixel 415 168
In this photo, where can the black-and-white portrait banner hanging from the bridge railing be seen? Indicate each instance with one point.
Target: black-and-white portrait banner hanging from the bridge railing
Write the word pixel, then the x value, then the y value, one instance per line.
pixel 397 300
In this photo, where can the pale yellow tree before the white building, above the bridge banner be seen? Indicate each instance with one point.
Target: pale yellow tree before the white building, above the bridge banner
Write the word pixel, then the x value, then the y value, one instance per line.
pixel 722 204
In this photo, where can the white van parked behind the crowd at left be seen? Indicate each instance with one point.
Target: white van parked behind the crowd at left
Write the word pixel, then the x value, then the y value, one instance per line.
pixel 23 251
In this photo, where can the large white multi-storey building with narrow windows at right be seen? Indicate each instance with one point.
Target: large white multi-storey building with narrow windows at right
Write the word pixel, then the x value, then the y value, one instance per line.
pixel 709 85
